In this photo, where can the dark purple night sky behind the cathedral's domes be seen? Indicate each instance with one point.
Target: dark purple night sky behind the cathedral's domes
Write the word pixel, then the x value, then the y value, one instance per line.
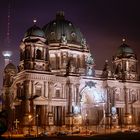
pixel 103 22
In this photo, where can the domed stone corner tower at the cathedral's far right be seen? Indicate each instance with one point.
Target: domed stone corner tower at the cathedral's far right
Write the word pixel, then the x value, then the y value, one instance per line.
pixel 125 63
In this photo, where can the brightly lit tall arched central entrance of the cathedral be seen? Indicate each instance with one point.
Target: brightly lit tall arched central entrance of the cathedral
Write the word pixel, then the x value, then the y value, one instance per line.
pixel 92 105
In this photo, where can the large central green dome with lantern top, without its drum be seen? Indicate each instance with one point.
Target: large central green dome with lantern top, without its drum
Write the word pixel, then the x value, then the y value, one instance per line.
pixel 60 27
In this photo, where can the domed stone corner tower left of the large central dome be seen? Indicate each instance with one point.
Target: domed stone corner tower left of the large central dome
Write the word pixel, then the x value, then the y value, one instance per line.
pixel 33 50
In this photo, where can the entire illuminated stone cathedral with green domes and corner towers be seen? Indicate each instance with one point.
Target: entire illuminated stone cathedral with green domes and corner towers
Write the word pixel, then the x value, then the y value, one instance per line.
pixel 56 84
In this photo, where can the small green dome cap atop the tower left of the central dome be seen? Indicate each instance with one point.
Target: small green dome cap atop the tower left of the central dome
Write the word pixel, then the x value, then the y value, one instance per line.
pixel 34 31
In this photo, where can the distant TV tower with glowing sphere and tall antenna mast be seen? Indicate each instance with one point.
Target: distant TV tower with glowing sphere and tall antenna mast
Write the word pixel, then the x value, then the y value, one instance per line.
pixel 7 54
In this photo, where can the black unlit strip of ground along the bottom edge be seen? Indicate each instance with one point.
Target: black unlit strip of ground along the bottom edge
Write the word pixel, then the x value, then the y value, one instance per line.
pixel 116 136
